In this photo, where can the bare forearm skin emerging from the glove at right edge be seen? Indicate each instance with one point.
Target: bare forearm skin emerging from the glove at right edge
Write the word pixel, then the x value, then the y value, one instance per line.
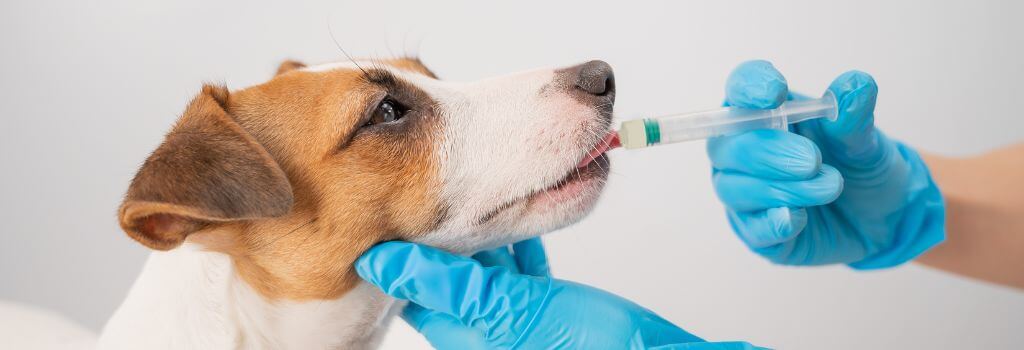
pixel 985 200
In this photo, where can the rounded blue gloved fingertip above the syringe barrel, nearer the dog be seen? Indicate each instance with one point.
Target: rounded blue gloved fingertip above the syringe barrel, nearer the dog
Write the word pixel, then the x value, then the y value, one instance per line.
pixel 756 84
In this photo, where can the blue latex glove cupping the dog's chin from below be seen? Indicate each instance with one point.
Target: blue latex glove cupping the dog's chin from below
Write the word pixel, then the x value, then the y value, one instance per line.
pixel 460 303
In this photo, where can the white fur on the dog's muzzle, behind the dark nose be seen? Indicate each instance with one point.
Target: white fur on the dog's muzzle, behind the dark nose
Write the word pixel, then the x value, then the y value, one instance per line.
pixel 506 139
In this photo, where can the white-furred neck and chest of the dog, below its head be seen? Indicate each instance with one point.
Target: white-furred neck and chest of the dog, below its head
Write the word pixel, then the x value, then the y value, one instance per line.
pixel 190 298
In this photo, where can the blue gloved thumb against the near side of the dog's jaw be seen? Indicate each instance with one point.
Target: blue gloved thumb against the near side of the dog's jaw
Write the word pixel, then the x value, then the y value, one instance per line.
pixel 446 283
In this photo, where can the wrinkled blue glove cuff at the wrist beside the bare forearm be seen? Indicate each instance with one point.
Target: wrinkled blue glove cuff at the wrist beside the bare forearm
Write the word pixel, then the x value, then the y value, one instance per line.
pixel 922 225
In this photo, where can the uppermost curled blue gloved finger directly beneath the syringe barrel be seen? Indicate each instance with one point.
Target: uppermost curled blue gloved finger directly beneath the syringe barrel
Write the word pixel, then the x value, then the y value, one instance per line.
pixel 767 154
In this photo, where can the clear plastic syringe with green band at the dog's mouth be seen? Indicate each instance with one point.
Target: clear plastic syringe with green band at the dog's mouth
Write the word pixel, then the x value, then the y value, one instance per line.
pixel 700 125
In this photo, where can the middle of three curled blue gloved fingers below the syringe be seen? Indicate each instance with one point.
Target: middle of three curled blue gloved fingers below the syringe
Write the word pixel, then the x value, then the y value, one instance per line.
pixel 747 194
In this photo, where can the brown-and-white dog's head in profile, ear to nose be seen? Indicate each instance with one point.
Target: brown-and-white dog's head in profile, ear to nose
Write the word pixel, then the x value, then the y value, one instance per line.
pixel 295 178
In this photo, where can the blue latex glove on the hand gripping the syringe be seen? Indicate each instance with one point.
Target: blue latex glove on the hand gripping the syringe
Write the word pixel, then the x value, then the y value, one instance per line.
pixel 831 192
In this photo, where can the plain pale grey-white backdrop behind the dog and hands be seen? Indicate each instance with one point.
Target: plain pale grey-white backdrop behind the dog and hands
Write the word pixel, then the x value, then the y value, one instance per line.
pixel 90 87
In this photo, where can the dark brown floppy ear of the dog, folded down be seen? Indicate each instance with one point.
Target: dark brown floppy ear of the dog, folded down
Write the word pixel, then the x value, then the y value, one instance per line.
pixel 208 171
